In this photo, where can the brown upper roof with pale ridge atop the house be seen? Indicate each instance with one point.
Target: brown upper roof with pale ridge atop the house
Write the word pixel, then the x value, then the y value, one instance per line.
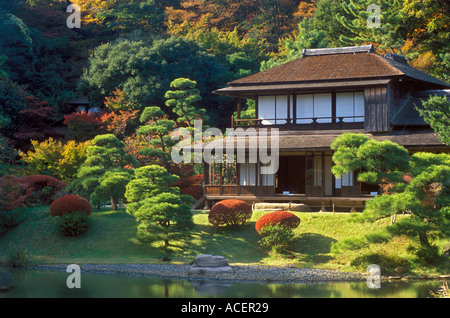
pixel 338 64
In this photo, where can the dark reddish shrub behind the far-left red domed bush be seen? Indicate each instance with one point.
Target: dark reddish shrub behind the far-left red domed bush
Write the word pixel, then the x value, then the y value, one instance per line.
pixel 42 188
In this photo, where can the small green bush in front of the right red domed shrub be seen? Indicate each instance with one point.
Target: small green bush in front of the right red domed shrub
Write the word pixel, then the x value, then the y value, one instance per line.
pixel 276 237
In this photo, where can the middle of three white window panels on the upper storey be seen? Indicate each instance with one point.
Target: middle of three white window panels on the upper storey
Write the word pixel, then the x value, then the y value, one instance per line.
pixel 314 106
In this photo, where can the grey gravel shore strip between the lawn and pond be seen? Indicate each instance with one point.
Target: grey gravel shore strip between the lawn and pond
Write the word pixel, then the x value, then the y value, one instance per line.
pixel 245 273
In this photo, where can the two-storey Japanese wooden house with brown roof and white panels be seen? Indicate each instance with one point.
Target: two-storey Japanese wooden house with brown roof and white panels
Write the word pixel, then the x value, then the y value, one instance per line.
pixel 312 100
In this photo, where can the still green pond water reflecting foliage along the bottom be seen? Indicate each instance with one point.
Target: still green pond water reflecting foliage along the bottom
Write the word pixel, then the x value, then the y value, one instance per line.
pixel 48 284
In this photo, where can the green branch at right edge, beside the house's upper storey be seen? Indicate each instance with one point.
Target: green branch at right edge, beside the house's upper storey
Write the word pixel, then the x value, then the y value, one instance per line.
pixel 436 112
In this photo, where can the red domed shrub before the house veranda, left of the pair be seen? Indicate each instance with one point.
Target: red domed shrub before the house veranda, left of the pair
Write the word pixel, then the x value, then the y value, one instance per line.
pixel 230 213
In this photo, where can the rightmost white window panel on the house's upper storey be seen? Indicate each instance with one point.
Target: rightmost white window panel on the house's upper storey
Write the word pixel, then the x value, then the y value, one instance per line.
pixel 350 106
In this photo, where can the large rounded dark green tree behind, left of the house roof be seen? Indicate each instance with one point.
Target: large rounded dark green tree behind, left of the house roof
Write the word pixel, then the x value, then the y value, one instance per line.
pixel 144 69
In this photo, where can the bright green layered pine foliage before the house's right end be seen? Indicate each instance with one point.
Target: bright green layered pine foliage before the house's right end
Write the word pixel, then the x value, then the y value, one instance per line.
pixel 418 186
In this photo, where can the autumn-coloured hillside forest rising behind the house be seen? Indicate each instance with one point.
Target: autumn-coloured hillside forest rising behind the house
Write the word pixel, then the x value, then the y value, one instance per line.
pixel 126 56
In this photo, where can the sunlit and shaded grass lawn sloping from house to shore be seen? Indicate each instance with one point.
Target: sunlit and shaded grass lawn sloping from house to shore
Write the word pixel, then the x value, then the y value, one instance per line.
pixel 111 239
